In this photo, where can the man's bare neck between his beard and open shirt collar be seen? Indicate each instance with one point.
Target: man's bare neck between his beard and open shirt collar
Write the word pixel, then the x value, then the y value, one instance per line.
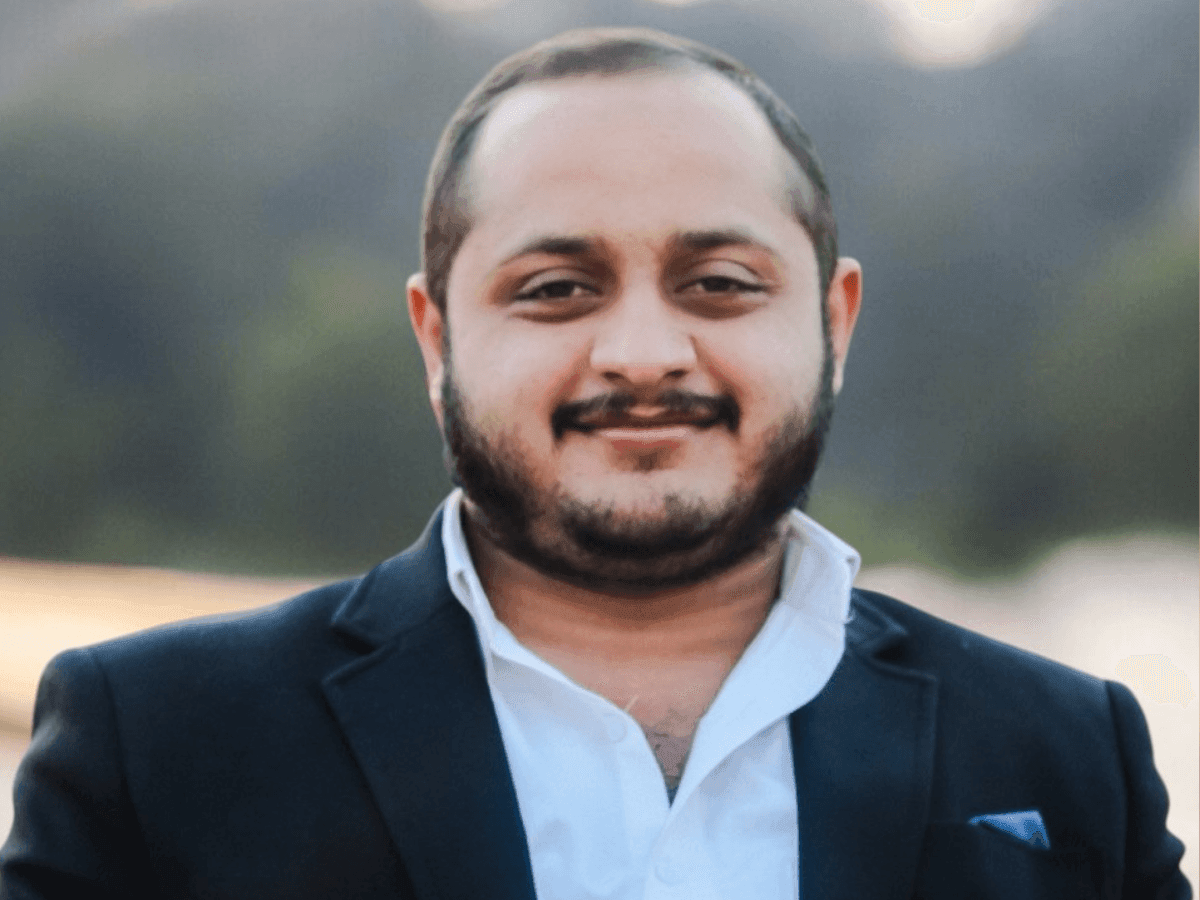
pixel 718 617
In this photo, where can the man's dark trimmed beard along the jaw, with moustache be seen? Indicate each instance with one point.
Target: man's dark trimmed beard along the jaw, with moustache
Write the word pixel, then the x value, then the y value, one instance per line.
pixel 599 548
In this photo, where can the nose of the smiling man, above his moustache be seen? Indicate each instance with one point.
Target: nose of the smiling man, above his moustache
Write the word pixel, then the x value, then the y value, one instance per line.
pixel 644 343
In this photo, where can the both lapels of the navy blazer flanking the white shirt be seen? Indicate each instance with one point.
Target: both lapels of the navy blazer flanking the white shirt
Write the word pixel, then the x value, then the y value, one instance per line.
pixel 418 703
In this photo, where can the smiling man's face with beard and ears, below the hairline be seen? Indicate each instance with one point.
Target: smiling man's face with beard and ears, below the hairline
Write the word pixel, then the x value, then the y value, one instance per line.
pixel 640 377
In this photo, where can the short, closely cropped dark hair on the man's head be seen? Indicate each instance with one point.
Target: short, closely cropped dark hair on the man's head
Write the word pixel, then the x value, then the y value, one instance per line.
pixel 605 52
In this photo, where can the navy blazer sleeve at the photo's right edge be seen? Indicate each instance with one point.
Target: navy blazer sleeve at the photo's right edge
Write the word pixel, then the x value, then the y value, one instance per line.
pixel 1153 854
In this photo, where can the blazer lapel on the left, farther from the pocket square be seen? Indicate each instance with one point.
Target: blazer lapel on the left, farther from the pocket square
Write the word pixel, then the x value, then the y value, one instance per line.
pixel 419 718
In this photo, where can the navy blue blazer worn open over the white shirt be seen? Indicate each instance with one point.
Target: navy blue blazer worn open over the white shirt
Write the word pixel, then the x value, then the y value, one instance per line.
pixel 344 745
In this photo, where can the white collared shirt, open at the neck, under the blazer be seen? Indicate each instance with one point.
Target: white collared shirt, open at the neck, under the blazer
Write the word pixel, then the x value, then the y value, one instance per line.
pixel 590 789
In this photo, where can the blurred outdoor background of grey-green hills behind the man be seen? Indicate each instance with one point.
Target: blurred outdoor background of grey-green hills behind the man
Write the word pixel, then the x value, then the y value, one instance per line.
pixel 208 211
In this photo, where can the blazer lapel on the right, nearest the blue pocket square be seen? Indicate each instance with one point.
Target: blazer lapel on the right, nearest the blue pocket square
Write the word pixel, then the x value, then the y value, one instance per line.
pixel 863 752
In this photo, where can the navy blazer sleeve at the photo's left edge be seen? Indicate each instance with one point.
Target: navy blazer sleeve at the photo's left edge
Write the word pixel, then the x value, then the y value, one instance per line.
pixel 75 832
